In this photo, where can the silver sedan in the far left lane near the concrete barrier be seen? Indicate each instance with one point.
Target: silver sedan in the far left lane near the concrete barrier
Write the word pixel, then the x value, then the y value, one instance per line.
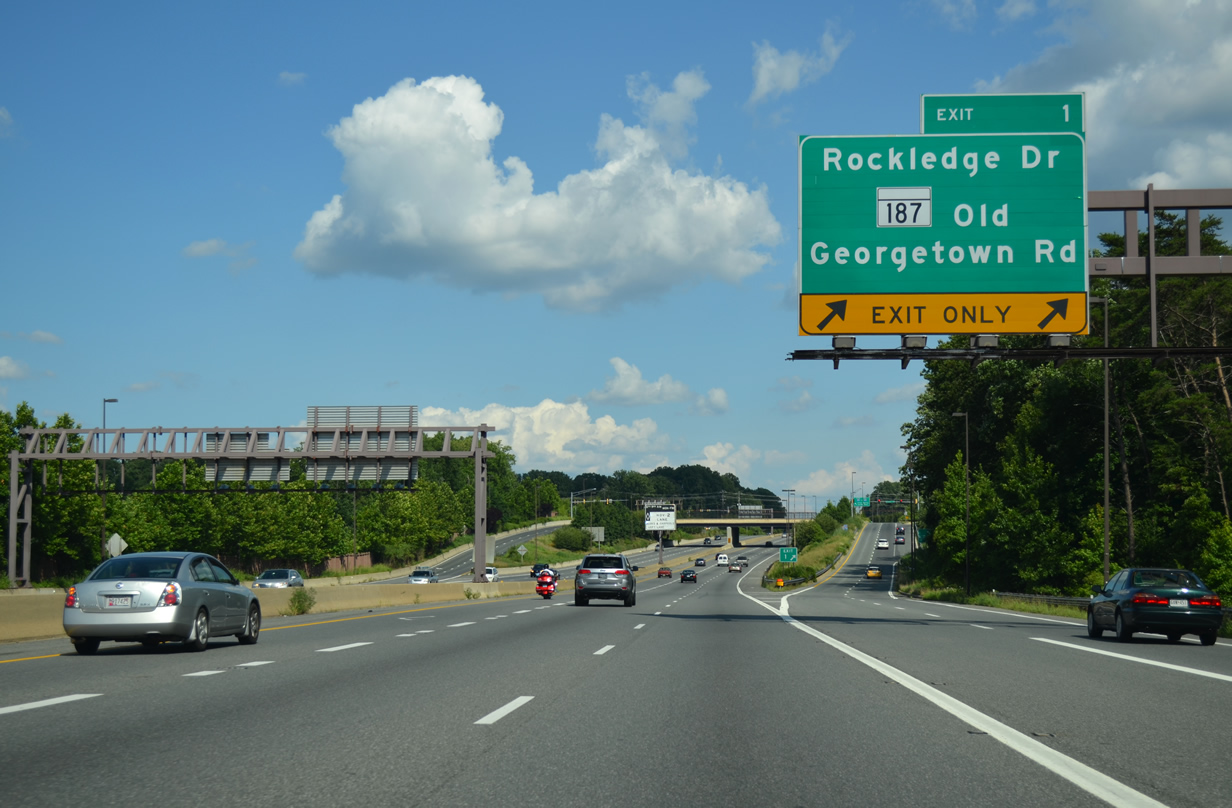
pixel 153 598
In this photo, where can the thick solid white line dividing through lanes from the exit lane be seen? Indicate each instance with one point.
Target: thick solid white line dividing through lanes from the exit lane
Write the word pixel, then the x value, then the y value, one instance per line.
pixel 1090 780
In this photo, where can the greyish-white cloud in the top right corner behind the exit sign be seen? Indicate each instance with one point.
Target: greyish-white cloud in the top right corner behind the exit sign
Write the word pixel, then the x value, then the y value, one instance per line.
pixel 1156 77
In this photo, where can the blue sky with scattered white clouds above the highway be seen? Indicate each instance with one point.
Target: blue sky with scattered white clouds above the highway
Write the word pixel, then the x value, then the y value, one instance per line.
pixel 573 224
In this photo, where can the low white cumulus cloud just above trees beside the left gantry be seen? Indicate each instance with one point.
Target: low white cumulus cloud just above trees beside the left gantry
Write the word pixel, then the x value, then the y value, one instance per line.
pixel 561 435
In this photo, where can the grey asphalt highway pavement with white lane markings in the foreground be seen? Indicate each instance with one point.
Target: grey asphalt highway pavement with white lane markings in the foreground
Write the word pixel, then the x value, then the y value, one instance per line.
pixel 718 694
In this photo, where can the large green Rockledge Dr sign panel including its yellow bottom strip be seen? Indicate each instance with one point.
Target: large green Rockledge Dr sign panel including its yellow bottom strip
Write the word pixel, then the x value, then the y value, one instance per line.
pixel 943 235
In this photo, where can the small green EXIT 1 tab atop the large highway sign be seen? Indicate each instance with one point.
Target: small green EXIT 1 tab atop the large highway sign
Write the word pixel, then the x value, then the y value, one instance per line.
pixel 1003 114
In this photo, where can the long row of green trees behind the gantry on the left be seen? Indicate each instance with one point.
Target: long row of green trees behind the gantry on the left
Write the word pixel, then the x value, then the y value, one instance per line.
pixel 300 525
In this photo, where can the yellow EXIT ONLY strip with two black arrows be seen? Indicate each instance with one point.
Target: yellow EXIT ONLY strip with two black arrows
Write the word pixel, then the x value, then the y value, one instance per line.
pixel 944 313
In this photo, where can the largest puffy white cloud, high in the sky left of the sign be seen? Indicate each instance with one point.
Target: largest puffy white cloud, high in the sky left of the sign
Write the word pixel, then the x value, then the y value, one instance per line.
pixel 427 199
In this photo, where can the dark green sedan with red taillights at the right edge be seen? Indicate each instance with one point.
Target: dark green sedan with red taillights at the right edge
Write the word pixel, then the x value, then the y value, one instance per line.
pixel 1169 602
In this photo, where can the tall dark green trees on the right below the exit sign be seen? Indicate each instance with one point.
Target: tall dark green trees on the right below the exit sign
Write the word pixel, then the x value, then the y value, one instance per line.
pixel 1037 485
